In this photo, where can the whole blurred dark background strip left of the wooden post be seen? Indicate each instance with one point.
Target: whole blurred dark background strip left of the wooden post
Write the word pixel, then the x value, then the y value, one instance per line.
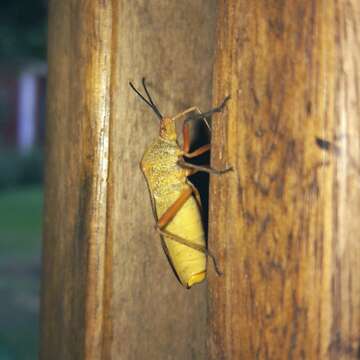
pixel 22 126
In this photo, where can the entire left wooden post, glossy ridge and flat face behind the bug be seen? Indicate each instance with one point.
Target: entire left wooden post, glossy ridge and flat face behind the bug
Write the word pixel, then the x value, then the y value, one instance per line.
pixel 108 291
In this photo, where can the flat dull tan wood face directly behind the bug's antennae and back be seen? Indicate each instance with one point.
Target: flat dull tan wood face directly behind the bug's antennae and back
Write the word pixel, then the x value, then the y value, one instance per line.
pixel 171 43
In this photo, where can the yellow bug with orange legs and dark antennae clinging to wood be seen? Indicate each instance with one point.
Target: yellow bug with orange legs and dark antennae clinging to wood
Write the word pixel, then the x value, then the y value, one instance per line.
pixel 175 201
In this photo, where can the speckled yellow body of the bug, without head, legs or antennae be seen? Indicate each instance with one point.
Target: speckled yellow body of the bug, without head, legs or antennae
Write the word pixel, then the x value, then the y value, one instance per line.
pixel 166 181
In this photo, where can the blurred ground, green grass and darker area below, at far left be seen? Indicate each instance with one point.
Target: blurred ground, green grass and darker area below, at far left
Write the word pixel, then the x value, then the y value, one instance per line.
pixel 20 241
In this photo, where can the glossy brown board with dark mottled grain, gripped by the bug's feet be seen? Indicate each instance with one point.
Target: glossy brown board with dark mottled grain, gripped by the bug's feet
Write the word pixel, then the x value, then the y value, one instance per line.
pixel 285 224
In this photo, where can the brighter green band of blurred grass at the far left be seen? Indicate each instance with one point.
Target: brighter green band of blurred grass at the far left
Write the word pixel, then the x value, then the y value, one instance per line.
pixel 20 220
